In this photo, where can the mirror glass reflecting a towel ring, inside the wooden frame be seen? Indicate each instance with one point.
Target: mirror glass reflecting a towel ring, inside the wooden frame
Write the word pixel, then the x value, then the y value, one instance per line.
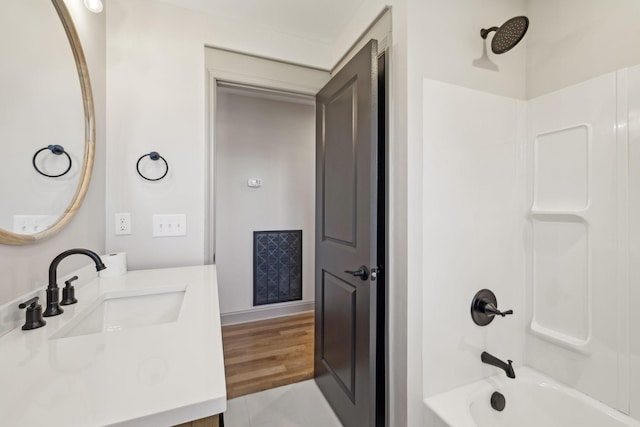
pixel 41 105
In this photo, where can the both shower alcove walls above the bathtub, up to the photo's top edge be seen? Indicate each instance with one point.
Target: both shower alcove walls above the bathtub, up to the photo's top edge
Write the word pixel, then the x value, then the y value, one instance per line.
pixel 531 188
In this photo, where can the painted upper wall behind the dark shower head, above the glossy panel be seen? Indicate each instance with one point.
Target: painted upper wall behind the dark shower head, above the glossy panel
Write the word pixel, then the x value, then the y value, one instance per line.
pixel 446 41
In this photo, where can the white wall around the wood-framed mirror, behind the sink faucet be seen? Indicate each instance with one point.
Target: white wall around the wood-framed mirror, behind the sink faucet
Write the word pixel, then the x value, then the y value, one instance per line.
pixel 25 268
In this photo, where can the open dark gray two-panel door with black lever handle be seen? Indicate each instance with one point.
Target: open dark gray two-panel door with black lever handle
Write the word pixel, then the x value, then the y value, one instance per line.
pixel 346 228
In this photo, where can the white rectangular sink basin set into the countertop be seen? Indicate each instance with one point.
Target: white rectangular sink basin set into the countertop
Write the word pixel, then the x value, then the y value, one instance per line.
pixel 127 309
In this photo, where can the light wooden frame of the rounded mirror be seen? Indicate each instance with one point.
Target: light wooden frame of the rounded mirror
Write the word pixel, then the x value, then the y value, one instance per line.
pixel 9 238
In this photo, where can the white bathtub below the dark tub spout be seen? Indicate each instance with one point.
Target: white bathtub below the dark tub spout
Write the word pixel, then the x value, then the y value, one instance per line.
pixel 532 400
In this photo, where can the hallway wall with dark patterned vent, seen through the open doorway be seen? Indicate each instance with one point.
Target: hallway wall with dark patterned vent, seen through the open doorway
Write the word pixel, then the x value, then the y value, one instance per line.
pixel 264 222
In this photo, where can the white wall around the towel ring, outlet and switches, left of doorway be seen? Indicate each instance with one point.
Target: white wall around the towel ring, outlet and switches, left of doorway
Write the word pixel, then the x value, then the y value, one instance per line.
pixel 157 88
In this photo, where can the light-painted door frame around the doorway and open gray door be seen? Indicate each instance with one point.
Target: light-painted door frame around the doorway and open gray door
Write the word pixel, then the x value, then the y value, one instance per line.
pixel 229 70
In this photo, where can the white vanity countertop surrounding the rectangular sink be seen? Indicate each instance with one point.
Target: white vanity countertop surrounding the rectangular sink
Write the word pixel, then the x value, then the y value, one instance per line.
pixel 159 375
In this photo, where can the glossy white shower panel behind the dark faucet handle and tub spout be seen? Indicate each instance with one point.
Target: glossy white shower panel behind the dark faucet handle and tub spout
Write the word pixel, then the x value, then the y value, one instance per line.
pixel 473 219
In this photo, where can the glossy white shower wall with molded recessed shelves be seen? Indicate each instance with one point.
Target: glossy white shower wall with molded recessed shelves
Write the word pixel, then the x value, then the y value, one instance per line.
pixel 574 279
